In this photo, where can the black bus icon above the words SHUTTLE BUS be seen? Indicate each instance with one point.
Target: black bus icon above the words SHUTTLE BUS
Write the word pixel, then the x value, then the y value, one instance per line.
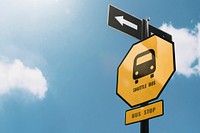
pixel 144 64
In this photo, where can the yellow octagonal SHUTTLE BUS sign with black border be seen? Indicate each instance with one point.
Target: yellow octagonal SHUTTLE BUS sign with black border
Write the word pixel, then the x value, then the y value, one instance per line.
pixel 145 70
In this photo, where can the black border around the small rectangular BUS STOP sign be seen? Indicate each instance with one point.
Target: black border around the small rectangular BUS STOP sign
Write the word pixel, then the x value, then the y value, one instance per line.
pixel 148 118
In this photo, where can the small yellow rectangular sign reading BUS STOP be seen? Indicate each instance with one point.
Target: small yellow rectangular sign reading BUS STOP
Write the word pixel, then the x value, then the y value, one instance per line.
pixel 143 113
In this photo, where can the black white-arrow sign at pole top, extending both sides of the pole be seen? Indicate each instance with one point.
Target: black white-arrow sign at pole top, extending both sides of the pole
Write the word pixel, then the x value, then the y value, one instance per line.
pixel 132 25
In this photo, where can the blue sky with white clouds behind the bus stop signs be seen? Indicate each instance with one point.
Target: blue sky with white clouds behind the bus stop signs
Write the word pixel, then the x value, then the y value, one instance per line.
pixel 59 62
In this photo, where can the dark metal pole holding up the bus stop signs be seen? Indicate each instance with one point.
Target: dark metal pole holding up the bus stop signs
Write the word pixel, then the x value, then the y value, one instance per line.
pixel 144 125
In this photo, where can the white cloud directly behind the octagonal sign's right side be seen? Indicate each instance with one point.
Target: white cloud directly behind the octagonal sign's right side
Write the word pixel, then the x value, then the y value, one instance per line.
pixel 187 49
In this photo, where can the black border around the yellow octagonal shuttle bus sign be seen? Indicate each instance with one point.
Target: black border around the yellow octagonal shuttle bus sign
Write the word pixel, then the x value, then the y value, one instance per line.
pixel 164 84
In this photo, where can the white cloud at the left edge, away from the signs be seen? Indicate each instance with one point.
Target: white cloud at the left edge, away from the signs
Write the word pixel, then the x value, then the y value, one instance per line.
pixel 15 75
